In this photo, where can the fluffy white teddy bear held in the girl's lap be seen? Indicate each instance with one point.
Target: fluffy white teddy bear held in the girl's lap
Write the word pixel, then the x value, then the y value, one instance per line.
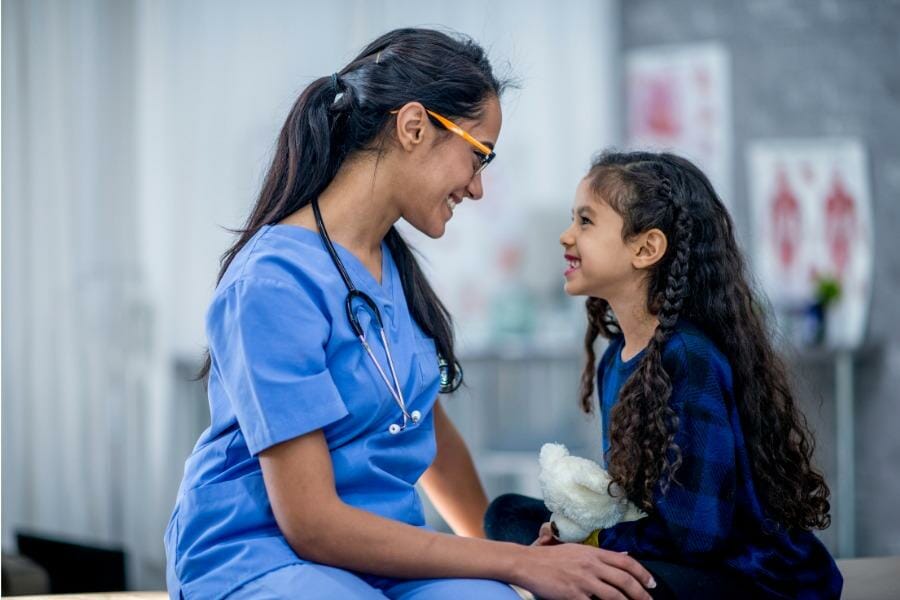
pixel 576 492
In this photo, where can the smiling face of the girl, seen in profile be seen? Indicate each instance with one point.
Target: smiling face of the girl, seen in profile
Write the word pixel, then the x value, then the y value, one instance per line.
pixel 599 261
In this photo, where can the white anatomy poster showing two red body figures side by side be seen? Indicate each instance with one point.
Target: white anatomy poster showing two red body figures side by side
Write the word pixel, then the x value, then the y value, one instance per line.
pixel 812 228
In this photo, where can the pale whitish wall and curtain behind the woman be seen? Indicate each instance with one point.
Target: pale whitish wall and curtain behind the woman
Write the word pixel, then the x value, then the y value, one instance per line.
pixel 133 132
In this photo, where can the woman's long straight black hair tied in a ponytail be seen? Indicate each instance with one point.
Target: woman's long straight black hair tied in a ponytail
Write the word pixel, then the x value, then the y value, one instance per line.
pixel 348 113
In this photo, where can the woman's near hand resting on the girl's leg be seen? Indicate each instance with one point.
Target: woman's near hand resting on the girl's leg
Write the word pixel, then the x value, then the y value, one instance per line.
pixel 581 572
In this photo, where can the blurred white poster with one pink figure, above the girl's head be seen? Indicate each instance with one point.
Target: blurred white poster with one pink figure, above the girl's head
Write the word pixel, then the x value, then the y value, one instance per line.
pixel 678 99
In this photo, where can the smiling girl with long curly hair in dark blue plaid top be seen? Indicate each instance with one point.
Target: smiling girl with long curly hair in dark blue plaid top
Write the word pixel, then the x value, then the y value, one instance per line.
pixel 700 428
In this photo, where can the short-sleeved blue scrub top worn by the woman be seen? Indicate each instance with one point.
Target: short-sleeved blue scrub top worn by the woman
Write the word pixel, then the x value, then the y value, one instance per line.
pixel 285 362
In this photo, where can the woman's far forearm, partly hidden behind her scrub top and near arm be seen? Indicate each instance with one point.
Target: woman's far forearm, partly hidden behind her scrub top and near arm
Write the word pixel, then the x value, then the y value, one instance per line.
pixel 452 482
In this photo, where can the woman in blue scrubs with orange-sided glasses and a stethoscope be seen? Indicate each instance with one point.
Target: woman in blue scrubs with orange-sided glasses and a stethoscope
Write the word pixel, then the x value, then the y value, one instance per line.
pixel 304 484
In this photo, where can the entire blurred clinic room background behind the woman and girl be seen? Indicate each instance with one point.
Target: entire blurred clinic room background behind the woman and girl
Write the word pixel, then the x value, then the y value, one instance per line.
pixel 136 132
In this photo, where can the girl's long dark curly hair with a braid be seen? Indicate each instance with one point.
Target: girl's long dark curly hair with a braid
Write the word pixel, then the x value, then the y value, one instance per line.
pixel 702 277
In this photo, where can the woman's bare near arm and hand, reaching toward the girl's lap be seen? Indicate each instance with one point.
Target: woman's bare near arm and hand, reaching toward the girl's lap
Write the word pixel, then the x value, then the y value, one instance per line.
pixel 319 526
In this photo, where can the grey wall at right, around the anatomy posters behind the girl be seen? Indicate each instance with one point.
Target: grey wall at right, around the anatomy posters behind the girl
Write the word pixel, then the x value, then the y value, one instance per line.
pixel 814 68
